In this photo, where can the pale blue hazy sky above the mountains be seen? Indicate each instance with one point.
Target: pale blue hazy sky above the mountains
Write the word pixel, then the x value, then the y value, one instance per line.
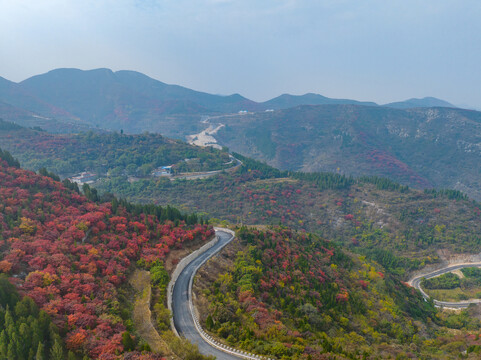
pixel 379 50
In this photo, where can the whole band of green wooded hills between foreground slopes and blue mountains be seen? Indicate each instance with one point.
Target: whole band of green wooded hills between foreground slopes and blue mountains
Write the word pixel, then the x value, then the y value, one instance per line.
pixel 404 227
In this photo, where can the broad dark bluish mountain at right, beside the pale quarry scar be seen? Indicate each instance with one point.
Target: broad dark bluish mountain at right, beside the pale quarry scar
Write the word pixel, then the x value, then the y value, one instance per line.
pixel 434 147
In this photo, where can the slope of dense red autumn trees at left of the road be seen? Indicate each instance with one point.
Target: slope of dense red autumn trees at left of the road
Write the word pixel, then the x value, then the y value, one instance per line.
pixel 72 256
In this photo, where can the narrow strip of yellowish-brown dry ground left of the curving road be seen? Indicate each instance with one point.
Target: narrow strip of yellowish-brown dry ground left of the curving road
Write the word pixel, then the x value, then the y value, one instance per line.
pixel 142 316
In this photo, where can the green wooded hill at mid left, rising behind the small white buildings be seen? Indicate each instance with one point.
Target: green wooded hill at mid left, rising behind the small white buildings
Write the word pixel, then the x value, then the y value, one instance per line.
pixel 113 153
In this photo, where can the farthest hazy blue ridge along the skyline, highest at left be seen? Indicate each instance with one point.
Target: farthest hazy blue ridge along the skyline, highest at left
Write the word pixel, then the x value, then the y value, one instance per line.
pixel 132 101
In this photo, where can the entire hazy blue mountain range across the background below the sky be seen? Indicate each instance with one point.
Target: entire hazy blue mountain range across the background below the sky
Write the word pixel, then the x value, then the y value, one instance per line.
pixel 418 142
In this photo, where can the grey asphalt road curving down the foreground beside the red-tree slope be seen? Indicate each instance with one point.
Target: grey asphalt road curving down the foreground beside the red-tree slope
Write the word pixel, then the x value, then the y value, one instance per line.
pixel 180 302
